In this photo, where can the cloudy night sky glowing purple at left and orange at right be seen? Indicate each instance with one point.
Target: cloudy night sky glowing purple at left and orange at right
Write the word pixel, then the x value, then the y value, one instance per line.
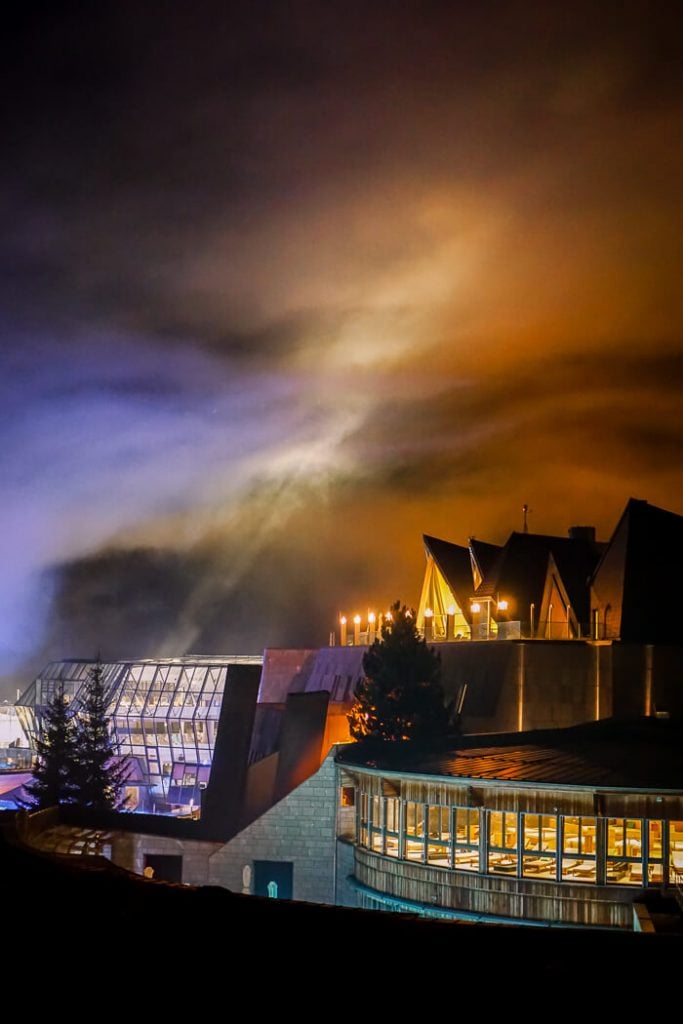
pixel 287 285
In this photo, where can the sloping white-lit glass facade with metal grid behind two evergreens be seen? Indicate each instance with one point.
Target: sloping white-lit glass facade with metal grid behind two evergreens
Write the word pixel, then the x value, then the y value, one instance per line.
pixel 164 715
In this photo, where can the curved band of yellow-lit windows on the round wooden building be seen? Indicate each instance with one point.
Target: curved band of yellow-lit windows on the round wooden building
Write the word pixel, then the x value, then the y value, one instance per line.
pixel 563 848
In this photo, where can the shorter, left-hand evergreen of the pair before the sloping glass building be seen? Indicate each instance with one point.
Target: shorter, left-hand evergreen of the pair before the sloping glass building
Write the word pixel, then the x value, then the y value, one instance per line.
pixel 55 774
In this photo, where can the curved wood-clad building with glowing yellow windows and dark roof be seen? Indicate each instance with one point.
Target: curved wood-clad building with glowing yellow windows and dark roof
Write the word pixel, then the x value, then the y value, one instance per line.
pixel 571 827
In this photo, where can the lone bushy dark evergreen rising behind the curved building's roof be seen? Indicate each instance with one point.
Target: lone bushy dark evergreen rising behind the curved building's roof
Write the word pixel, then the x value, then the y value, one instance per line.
pixel 401 697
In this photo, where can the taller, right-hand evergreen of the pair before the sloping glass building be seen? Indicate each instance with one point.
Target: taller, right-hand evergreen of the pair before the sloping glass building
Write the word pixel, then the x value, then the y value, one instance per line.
pixel 101 774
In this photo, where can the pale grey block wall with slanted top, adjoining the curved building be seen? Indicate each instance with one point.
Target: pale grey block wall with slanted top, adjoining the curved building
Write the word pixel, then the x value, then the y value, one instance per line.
pixel 302 829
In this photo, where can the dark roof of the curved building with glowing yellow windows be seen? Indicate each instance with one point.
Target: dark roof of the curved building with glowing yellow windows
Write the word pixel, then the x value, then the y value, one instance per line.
pixel 631 754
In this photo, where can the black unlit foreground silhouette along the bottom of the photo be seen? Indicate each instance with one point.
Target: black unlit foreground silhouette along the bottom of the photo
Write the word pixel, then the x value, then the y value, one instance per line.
pixel 86 935
